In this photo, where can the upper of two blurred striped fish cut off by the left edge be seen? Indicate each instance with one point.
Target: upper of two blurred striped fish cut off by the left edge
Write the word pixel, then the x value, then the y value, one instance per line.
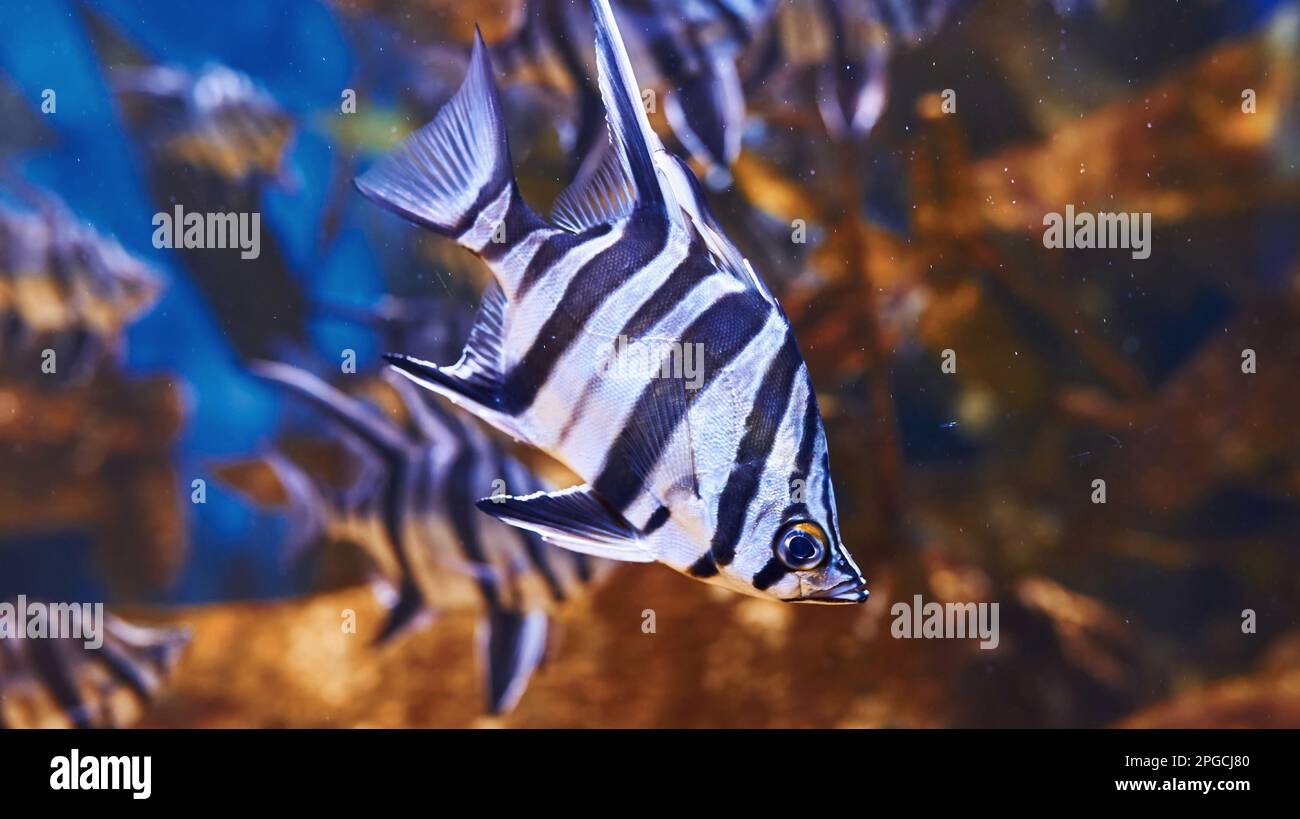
pixel 66 288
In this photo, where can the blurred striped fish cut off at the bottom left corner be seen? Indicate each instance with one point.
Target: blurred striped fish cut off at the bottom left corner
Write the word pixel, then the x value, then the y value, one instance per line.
pixel 59 682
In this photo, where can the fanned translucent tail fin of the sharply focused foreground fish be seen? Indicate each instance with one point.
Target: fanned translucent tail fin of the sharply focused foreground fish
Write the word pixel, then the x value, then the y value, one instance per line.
pixel 454 175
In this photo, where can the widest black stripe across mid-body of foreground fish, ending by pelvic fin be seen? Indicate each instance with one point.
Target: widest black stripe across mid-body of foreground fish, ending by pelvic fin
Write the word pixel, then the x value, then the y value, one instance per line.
pixel 726 328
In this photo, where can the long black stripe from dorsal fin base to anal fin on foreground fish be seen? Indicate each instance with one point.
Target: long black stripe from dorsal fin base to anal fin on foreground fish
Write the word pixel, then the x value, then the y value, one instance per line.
pixel 643 241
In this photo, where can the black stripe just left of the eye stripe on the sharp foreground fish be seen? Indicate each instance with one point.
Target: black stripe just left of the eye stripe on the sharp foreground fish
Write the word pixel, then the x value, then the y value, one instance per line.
pixel 748 467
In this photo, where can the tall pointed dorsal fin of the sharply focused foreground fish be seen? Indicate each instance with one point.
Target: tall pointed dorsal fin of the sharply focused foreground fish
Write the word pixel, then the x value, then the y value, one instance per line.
pixel 635 142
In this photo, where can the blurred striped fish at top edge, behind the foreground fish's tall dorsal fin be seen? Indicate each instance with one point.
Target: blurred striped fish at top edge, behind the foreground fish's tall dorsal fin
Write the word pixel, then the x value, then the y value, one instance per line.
pixel 691 47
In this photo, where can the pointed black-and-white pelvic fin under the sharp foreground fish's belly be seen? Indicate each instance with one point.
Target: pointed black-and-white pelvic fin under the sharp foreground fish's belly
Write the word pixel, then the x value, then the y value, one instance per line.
pixel 577 519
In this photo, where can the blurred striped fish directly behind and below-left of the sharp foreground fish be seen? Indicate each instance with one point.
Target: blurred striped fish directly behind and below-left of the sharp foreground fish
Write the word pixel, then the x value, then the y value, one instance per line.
pixel 413 512
